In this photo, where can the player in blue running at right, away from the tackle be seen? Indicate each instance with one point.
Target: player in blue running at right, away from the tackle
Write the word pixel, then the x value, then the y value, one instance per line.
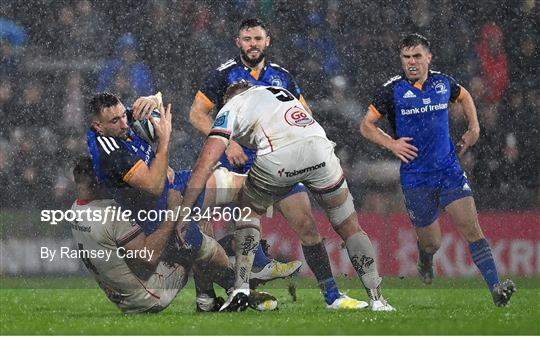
pixel 416 105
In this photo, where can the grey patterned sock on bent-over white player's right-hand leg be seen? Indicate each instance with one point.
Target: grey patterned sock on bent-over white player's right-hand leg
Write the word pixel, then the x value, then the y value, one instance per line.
pixel 362 257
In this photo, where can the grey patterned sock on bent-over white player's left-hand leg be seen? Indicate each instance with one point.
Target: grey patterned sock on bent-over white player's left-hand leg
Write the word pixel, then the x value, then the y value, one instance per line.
pixel 246 240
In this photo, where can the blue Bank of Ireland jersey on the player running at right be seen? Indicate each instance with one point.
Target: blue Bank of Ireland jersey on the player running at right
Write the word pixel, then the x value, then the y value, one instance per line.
pixel 420 111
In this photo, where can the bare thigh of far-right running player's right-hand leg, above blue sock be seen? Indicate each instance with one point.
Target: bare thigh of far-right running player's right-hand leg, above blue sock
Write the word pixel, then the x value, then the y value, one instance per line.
pixel 463 213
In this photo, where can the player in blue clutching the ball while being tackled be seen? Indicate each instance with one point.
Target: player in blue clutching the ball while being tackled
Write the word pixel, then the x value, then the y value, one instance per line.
pixel 128 166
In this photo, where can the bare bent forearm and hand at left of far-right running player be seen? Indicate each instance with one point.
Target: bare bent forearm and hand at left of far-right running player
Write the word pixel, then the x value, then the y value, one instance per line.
pixel 400 147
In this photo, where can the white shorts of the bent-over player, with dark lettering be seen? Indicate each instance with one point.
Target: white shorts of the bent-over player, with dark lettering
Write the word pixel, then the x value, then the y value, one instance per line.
pixel 311 161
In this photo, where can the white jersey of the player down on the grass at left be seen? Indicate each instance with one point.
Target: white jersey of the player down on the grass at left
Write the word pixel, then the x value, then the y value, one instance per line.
pixel 123 287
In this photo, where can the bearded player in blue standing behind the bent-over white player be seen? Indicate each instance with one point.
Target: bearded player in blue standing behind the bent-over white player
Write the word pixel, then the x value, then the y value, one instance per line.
pixel 252 65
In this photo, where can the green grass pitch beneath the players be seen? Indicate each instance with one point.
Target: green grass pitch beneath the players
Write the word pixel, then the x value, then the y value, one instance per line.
pixel 450 307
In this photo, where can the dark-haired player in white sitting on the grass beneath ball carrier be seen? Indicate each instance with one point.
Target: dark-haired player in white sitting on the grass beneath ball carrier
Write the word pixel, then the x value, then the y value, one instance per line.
pixel 143 273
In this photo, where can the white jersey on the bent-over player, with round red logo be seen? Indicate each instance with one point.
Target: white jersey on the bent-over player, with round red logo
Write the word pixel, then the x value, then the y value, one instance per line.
pixel 266 119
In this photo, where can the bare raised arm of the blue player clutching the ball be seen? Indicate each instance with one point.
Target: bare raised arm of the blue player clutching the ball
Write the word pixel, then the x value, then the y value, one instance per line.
pixel 151 179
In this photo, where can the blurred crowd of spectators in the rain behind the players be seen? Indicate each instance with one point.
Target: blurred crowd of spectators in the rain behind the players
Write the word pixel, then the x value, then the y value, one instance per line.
pixel 55 54
